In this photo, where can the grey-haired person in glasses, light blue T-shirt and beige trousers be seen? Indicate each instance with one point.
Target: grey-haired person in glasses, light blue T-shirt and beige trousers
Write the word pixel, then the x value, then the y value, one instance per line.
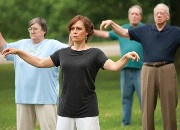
pixel 36 89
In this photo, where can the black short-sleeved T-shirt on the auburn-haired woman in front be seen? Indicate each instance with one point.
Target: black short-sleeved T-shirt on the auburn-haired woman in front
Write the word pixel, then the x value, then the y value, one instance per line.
pixel 79 69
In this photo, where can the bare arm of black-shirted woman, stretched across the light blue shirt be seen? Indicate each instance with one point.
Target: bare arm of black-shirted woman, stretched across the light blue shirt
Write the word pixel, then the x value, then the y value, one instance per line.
pixel 35 61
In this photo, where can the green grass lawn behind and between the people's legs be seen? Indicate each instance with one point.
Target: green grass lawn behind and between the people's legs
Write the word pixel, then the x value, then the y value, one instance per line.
pixel 109 99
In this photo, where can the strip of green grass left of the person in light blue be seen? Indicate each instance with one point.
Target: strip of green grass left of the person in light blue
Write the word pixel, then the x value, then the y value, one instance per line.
pixel 7 107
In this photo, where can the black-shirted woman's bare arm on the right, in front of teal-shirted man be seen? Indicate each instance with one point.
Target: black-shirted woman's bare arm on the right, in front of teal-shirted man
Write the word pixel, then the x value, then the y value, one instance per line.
pixel 118 65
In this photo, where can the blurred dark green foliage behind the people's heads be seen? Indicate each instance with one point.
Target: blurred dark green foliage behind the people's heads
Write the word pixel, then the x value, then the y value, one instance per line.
pixel 15 14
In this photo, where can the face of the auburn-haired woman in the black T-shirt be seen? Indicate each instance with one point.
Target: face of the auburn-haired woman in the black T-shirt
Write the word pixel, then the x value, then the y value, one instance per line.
pixel 78 32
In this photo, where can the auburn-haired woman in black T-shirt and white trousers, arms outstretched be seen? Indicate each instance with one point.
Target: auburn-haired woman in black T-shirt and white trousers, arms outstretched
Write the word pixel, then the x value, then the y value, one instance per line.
pixel 79 63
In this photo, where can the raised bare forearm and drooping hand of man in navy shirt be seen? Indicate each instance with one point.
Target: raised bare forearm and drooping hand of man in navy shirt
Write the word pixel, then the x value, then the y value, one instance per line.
pixel 117 29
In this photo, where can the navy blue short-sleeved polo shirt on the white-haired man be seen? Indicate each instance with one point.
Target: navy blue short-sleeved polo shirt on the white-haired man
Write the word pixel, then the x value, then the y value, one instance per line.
pixel 157 45
